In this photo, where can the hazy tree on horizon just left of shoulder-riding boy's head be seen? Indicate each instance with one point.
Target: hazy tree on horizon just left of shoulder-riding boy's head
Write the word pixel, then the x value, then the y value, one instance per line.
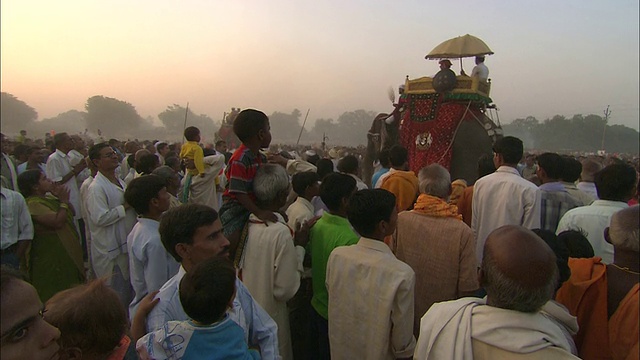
pixel 173 120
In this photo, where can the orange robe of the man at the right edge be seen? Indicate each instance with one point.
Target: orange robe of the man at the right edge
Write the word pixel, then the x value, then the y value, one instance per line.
pixel 585 295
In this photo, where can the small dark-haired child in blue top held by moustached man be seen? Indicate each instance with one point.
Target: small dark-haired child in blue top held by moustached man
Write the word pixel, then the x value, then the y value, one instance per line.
pixel 206 292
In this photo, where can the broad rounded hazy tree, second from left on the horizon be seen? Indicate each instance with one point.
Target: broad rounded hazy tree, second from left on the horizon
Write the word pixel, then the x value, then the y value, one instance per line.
pixel 115 118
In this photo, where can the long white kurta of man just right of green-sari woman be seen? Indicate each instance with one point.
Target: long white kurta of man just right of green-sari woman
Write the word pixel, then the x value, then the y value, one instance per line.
pixel 110 224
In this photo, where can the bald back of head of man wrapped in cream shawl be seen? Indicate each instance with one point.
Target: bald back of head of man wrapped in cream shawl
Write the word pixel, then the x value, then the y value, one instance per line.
pixel 518 270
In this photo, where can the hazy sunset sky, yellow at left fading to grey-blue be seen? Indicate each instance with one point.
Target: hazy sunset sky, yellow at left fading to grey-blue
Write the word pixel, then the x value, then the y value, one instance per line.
pixel 551 57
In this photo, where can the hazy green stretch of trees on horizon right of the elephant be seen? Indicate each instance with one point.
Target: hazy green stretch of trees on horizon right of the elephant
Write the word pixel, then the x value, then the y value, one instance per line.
pixel 580 133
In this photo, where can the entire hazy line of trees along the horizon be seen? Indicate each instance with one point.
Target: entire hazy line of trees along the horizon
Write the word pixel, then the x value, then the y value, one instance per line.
pixel 120 119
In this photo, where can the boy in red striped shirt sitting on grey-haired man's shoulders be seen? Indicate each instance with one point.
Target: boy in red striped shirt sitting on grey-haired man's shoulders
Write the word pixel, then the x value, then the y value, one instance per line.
pixel 252 128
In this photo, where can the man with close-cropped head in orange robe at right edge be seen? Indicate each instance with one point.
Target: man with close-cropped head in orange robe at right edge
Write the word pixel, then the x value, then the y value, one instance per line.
pixel 605 297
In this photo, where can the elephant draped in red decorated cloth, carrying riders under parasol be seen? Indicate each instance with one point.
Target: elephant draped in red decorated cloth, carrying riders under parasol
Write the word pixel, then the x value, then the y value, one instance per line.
pixel 451 129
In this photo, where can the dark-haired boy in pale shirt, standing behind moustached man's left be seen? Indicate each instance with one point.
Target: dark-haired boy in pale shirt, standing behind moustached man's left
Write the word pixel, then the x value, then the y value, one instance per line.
pixel 150 265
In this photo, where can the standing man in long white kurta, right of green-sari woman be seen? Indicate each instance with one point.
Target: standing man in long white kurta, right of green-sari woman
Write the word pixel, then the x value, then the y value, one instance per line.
pixel 110 221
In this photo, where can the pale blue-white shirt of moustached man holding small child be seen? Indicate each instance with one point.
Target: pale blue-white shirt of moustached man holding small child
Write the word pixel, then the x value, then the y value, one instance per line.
pixel 259 328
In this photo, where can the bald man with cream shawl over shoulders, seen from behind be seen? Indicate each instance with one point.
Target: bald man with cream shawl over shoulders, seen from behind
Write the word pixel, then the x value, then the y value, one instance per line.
pixel 519 274
